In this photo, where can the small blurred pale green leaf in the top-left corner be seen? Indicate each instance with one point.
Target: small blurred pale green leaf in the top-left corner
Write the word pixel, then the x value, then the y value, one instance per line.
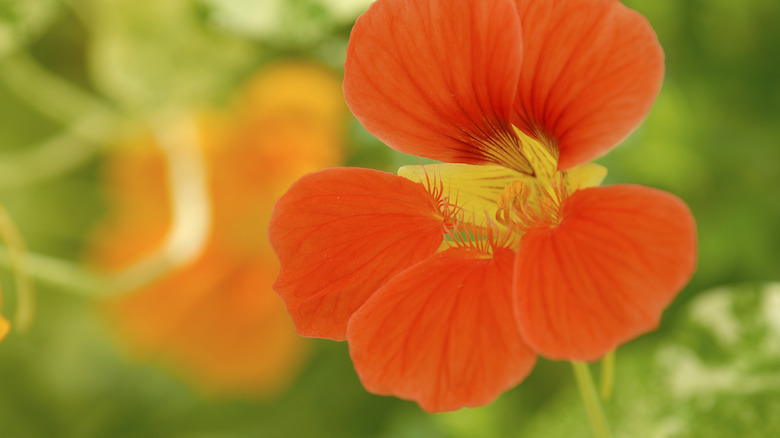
pixel 24 20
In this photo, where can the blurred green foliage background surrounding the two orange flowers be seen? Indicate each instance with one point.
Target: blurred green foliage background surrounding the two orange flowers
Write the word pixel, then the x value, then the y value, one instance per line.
pixel 712 138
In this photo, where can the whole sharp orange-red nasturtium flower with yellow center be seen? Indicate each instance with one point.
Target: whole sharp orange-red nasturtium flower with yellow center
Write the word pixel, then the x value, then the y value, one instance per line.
pixel 448 280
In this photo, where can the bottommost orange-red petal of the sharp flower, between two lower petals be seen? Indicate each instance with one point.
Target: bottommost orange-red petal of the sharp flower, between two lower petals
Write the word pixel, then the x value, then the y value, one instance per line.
pixel 442 332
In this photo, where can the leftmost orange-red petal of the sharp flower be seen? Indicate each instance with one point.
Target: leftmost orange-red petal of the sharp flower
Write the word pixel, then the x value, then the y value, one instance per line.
pixel 341 234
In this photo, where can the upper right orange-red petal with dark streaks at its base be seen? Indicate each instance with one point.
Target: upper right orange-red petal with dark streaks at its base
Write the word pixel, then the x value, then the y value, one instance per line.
pixel 591 71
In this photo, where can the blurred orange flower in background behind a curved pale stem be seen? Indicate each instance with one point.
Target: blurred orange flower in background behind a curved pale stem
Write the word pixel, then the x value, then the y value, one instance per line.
pixel 216 319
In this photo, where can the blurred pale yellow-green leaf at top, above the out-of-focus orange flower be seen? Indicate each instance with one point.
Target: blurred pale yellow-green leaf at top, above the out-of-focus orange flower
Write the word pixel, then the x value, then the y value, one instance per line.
pixel 153 55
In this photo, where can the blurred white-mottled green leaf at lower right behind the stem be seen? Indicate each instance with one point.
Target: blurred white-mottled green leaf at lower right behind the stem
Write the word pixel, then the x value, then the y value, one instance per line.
pixel 714 375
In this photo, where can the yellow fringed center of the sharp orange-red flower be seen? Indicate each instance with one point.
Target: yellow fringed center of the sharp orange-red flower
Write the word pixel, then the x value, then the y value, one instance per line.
pixel 494 203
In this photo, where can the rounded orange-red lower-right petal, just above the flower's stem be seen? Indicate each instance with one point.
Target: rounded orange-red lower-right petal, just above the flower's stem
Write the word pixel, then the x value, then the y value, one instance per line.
pixel 605 274
